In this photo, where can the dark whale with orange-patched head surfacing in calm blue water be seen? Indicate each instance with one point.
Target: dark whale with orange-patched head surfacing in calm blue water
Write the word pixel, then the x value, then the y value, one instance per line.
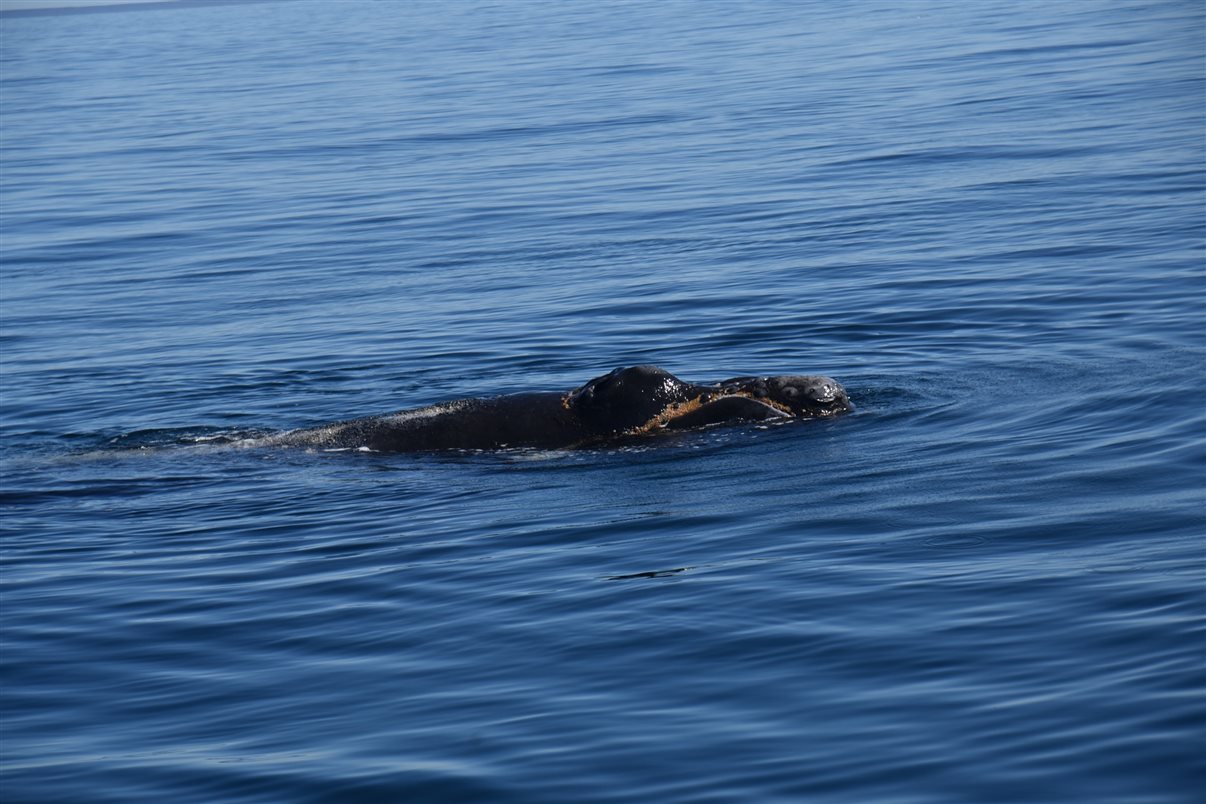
pixel 628 402
